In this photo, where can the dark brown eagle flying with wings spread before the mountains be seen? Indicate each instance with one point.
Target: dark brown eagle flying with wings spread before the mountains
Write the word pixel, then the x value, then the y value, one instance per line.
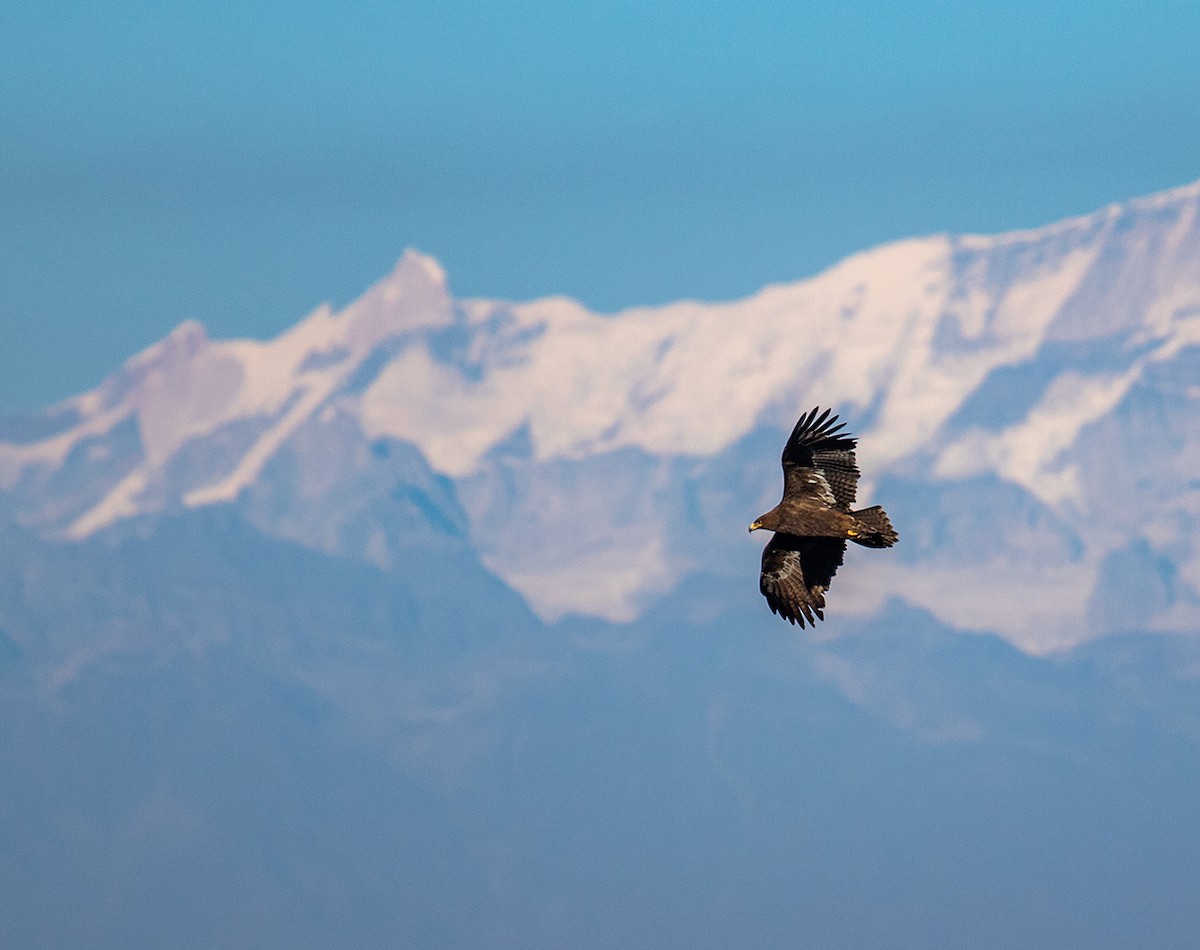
pixel 814 521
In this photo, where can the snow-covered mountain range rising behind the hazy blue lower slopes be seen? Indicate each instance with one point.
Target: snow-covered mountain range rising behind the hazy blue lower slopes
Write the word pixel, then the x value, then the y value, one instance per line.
pixel 1029 408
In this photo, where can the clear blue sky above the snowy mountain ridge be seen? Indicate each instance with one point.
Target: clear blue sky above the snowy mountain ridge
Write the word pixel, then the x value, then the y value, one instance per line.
pixel 241 164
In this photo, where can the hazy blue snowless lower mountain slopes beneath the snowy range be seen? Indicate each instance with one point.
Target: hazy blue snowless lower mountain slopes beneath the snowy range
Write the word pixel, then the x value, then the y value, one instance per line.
pixel 213 738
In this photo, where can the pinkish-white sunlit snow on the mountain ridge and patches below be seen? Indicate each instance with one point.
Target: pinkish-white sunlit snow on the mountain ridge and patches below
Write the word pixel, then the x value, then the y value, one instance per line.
pixel 898 338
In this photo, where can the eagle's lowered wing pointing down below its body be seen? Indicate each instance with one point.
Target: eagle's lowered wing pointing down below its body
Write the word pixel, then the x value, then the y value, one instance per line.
pixel 796 573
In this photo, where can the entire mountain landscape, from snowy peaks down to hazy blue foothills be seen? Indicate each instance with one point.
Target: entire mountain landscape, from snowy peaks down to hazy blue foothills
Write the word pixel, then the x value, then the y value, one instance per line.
pixel 269 674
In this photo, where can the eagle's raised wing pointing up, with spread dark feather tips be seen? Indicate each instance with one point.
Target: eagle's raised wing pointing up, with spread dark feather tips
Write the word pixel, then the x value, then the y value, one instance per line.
pixel 819 461
